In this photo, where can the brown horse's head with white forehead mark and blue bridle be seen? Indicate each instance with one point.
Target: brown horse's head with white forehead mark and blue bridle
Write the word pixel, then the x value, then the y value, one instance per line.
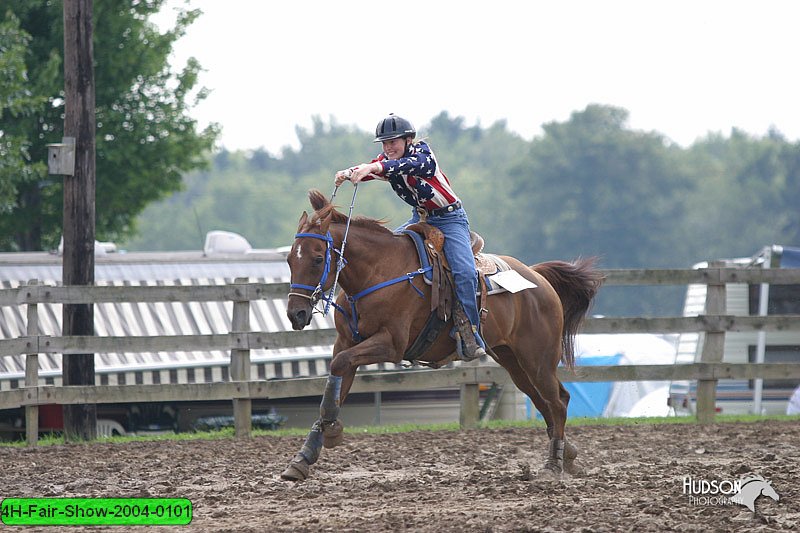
pixel 310 261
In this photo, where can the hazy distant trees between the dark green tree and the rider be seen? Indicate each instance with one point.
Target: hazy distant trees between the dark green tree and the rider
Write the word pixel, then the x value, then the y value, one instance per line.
pixel 260 196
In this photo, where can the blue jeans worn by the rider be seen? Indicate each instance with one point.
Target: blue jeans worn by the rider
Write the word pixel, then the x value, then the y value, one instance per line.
pixel 458 251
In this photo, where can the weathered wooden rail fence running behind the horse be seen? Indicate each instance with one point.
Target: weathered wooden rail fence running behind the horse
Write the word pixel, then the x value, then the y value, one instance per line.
pixel 241 390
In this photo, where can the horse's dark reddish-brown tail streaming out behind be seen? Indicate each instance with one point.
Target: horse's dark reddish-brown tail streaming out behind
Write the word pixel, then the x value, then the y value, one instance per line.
pixel 576 284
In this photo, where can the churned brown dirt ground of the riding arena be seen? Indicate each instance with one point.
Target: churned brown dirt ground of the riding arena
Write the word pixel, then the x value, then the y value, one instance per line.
pixel 481 480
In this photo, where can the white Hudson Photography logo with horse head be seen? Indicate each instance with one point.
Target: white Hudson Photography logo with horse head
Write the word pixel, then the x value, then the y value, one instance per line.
pixel 744 491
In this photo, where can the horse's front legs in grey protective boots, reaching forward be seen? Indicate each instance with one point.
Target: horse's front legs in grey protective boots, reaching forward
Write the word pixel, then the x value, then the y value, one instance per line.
pixel 328 431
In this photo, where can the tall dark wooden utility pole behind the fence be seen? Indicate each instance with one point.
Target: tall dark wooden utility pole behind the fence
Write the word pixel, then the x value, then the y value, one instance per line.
pixel 80 421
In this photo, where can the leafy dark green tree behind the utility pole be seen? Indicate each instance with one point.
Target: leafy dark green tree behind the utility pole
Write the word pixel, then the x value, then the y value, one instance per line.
pixel 146 139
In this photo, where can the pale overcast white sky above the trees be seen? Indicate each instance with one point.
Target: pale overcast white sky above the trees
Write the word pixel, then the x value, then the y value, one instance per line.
pixel 682 68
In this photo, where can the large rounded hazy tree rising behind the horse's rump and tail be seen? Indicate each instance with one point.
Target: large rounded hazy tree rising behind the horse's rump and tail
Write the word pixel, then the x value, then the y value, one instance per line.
pixel 592 187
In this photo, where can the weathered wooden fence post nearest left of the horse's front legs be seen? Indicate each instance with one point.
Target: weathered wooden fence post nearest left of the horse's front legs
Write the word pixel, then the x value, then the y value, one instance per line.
pixel 240 359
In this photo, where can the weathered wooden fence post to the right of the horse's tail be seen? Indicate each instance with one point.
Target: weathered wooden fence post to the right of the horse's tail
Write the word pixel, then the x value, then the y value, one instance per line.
pixel 713 346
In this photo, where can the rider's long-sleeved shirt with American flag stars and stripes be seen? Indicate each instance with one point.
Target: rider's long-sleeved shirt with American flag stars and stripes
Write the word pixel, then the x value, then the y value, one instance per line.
pixel 416 178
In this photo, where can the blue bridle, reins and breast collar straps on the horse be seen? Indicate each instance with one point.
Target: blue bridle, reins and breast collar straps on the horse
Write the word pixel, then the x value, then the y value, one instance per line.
pixel 317 291
